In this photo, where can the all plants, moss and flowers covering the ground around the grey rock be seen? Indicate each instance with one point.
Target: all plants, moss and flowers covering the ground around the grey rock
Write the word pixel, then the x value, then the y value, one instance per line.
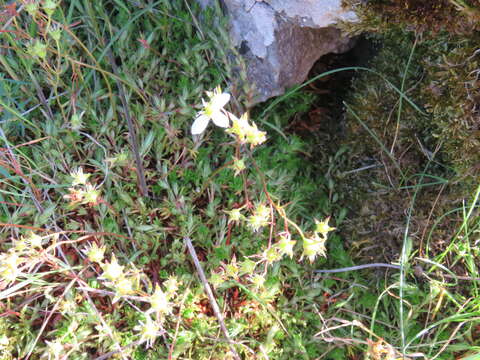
pixel 146 213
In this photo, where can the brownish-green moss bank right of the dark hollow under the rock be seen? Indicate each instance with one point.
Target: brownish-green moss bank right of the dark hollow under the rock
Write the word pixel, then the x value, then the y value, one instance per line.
pixel 443 79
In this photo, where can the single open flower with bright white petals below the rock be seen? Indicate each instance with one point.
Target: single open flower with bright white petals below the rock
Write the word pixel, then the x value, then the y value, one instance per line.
pixel 212 110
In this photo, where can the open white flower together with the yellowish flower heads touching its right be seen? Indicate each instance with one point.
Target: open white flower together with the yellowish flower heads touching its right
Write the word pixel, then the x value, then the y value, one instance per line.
pixel 241 128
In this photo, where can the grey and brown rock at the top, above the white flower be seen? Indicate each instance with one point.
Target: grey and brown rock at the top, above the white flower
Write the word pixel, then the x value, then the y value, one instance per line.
pixel 282 39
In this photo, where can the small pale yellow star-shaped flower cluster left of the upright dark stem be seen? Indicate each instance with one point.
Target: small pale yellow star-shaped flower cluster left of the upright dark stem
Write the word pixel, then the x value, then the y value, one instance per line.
pixel 82 191
